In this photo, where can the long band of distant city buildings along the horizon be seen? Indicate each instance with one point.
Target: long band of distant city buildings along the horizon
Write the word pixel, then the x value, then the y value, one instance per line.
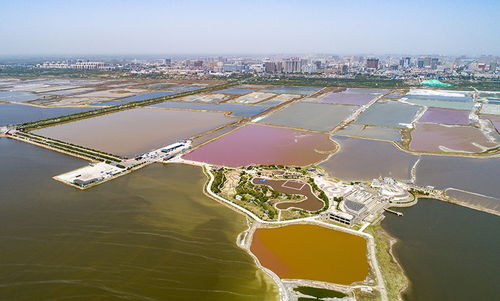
pixel 315 66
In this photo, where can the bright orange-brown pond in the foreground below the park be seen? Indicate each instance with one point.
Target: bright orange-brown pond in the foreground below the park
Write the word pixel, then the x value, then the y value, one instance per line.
pixel 311 252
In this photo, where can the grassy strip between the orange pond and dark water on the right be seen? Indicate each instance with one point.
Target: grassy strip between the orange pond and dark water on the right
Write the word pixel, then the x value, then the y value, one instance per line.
pixel 394 278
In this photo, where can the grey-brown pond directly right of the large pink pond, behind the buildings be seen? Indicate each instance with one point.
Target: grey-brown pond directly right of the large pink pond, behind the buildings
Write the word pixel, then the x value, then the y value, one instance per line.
pixel 360 159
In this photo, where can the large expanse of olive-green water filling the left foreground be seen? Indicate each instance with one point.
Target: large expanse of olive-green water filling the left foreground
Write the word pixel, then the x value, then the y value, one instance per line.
pixel 149 235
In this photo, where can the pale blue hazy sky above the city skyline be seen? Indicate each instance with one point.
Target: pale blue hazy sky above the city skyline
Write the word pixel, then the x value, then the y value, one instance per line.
pixel 45 27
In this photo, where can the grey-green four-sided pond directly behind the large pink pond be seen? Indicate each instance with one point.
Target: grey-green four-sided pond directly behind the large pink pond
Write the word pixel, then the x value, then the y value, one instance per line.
pixel 311 116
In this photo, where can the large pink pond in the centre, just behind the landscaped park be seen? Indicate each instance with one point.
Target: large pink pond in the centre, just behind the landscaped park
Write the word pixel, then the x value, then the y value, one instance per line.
pixel 260 144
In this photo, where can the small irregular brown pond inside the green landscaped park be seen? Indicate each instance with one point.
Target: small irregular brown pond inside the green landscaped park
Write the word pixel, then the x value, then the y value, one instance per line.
pixel 311 203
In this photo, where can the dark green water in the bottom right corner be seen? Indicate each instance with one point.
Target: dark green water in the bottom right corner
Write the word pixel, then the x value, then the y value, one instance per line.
pixel 449 252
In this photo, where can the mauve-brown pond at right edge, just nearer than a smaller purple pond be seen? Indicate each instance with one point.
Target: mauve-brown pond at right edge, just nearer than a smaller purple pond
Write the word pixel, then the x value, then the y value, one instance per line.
pixel 428 137
